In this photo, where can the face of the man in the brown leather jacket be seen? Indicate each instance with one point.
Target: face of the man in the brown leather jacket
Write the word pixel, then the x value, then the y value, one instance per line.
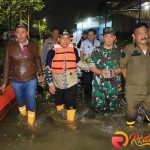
pixel 21 34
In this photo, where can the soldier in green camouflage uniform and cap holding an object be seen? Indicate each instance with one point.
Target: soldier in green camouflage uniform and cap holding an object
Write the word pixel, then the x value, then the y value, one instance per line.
pixel 107 80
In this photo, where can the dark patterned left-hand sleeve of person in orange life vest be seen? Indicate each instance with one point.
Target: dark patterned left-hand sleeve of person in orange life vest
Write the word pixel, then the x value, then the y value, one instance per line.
pixel 48 73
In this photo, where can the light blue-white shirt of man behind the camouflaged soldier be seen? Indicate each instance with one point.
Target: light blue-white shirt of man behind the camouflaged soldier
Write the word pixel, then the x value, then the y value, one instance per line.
pixel 87 47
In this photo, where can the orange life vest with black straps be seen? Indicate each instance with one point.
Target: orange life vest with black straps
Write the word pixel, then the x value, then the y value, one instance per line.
pixel 64 60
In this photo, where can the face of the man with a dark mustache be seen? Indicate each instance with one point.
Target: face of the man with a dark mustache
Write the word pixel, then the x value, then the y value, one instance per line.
pixel 140 36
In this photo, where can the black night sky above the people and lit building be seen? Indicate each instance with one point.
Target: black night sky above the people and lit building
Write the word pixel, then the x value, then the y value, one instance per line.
pixel 62 13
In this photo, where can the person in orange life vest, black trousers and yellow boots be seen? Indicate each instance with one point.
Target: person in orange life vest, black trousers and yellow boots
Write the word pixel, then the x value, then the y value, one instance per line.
pixel 61 76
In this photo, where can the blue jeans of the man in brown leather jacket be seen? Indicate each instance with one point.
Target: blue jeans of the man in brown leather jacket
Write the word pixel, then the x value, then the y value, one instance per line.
pixel 26 93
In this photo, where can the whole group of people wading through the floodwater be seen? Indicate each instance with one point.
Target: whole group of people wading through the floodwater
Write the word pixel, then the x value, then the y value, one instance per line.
pixel 101 63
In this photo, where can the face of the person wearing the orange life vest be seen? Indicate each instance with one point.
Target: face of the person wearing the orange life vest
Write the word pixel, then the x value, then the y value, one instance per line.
pixel 64 41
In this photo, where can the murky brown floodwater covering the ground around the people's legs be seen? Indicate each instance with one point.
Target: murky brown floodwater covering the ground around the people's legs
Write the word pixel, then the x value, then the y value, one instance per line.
pixel 50 133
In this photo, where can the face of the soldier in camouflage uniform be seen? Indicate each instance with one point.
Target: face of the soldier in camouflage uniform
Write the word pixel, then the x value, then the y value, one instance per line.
pixel 109 40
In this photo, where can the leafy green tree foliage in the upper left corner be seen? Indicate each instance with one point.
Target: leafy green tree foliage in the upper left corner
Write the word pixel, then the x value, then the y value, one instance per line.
pixel 13 12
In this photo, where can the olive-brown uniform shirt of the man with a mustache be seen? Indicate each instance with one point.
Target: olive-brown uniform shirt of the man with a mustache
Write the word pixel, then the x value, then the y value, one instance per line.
pixel 137 65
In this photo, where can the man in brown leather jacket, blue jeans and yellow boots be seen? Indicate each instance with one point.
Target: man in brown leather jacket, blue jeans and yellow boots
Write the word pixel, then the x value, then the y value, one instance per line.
pixel 23 64
